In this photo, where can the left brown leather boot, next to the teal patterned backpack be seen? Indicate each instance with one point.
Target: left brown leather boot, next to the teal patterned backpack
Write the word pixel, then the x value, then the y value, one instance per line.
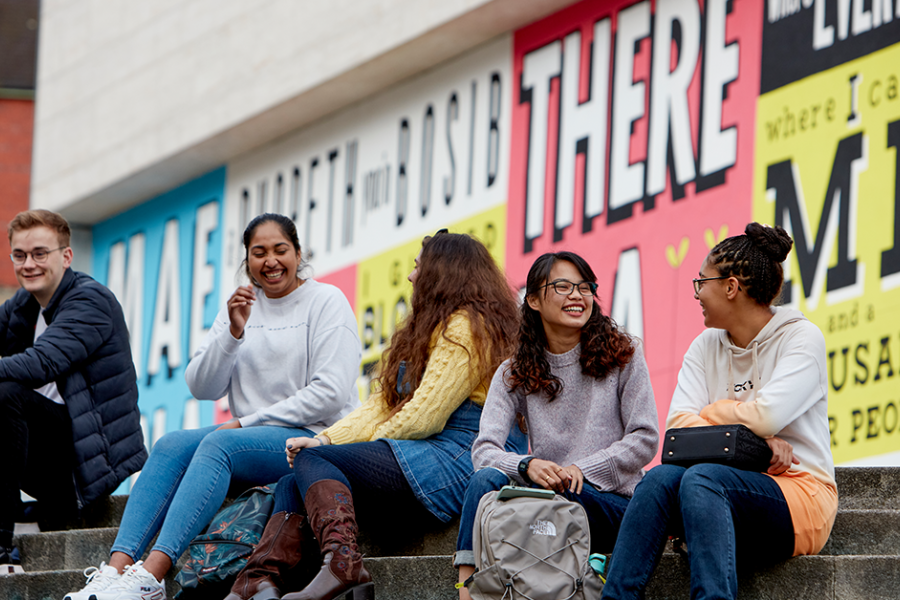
pixel 279 550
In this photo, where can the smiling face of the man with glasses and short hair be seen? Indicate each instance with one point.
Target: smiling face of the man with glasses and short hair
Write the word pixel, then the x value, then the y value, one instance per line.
pixel 41 279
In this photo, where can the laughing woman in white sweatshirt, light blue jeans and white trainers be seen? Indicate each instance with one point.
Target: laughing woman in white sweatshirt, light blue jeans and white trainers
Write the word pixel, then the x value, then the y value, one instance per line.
pixel 286 352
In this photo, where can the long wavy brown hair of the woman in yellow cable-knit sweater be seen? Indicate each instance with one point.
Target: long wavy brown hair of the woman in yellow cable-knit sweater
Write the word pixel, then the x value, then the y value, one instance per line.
pixel 455 272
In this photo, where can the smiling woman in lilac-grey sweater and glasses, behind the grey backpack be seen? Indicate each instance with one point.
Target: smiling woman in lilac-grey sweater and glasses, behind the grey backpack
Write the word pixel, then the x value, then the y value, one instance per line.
pixel 583 389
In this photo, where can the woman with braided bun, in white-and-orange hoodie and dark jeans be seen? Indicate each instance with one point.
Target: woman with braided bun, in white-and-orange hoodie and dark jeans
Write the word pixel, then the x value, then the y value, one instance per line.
pixel 755 365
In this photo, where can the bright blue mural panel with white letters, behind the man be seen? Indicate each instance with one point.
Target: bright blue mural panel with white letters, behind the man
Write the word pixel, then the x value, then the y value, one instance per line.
pixel 162 260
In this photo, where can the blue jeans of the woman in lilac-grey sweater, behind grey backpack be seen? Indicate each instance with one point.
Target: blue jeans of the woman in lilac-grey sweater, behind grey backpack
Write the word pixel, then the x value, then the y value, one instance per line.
pixel 604 510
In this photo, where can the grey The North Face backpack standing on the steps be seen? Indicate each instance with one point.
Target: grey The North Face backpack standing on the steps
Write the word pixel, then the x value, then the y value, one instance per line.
pixel 532 549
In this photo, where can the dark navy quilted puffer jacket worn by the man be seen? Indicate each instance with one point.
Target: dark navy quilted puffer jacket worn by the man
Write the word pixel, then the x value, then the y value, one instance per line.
pixel 85 350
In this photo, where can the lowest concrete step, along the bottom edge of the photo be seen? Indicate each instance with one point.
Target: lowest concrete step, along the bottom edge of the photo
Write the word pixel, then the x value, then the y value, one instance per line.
pixel 432 578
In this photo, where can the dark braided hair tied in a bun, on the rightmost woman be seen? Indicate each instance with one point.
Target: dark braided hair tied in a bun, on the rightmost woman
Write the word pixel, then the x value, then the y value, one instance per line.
pixel 754 259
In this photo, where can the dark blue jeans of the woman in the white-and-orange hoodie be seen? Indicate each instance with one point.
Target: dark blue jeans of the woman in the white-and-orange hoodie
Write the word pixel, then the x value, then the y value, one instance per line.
pixel 726 517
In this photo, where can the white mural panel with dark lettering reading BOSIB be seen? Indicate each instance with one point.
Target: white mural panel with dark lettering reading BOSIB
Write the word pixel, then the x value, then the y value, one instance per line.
pixel 431 151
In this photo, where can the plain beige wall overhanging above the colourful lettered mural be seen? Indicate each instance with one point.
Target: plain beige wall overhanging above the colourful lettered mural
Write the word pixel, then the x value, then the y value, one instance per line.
pixel 136 97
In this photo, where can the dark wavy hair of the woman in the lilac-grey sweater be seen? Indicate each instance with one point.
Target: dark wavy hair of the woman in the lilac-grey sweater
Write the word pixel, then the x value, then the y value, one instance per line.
pixel 603 346
